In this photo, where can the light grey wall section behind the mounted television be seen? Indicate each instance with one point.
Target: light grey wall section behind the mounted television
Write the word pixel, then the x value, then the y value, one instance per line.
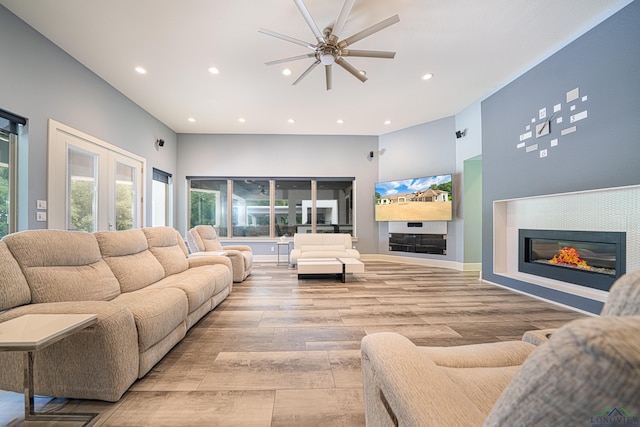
pixel 423 150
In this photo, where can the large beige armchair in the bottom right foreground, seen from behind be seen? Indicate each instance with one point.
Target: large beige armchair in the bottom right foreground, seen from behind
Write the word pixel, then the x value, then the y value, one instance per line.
pixel 583 371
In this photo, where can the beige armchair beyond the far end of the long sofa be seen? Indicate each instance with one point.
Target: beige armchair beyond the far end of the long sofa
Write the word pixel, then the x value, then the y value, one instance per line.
pixel 203 238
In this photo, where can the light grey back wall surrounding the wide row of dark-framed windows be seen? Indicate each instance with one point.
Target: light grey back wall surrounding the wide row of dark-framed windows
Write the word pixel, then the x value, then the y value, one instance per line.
pixel 284 156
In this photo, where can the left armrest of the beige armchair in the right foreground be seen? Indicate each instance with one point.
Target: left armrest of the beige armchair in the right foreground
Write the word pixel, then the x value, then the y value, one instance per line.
pixel 403 386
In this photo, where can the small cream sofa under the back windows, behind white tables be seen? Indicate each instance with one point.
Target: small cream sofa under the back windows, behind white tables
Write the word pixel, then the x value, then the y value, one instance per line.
pixel 322 245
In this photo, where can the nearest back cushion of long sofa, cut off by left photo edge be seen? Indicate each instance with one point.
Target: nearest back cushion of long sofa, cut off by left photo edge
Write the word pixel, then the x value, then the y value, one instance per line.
pixel 14 290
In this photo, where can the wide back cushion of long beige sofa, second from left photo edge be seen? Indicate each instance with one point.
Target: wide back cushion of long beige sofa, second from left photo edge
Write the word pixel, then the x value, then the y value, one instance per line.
pixel 62 266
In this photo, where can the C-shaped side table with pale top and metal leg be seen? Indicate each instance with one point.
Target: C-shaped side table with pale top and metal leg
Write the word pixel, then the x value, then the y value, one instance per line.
pixel 33 332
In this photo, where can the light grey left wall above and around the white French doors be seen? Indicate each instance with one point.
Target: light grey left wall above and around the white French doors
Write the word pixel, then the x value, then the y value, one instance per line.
pixel 40 81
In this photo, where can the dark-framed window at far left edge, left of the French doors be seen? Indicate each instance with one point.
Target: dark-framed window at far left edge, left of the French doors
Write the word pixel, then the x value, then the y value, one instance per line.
pixel 10 125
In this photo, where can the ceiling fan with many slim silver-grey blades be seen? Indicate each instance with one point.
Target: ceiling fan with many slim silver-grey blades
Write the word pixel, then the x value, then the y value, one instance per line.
pixel 329 49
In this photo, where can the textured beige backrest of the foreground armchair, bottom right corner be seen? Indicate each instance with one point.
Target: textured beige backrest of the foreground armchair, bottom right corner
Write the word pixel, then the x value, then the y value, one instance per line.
pixel 587 366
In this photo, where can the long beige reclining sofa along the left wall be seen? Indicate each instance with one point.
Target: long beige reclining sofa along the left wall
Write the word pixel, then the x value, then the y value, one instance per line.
pixel 140 283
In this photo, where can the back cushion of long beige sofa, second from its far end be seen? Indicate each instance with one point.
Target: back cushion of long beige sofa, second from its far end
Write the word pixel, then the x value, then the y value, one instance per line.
pixel 127 254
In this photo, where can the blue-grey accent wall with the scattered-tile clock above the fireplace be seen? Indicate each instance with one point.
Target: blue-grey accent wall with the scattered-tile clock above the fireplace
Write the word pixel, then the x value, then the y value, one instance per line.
pixel 604 151
